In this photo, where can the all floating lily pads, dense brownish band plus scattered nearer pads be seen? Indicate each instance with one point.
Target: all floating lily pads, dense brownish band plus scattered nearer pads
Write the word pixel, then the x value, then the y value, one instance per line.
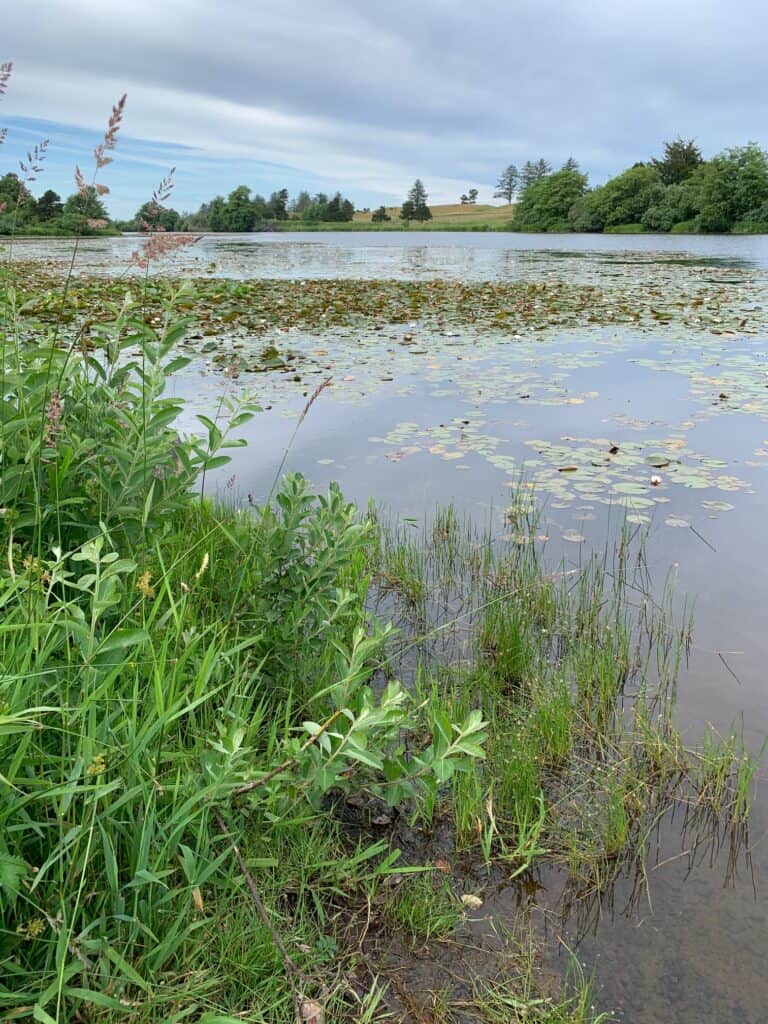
pixel 458 358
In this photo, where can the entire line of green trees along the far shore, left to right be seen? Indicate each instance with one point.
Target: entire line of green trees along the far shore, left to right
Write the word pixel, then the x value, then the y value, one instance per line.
pixel 678 192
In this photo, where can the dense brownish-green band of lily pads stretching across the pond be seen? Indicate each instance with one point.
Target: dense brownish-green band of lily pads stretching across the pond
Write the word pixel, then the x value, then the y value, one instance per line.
pixel 235 313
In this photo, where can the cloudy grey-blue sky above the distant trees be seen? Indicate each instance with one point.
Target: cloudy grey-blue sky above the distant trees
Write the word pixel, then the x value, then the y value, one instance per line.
pixel 365 96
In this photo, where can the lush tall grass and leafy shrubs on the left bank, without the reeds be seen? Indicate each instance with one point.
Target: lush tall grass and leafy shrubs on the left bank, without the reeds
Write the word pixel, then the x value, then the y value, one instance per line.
pixel 165 664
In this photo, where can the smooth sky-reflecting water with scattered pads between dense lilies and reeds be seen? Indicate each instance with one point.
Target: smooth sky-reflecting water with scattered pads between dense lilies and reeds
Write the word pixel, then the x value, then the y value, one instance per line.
pixel 415 437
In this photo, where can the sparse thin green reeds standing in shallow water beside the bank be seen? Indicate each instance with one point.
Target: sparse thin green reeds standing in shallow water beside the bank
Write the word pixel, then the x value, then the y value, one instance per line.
pixel 576 670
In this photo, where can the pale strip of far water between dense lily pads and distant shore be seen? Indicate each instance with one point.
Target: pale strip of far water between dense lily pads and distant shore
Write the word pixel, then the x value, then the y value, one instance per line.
pixel 418 255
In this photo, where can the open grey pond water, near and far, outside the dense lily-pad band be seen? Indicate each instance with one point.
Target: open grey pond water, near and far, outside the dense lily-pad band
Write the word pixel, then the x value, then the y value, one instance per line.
pixel 416 419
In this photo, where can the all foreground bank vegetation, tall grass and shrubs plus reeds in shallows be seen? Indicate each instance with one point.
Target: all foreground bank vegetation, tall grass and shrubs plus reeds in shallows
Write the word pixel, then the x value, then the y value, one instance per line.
pixel 230 791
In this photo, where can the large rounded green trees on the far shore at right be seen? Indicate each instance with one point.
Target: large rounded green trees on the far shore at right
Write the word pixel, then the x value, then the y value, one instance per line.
pixel 679 192
